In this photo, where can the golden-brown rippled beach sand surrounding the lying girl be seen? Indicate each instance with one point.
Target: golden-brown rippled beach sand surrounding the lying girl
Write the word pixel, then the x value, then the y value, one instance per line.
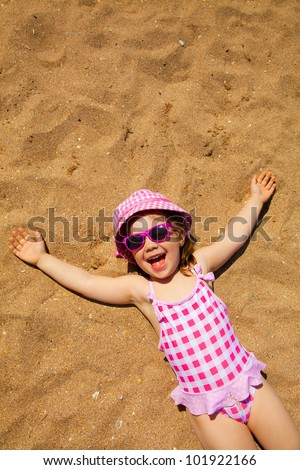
pixel 100 98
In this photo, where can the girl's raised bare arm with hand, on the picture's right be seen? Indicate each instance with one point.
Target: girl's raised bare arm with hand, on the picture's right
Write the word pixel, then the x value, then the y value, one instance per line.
pixel 240 227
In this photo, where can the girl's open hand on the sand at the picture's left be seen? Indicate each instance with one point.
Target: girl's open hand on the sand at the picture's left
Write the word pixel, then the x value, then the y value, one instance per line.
pixel 27 248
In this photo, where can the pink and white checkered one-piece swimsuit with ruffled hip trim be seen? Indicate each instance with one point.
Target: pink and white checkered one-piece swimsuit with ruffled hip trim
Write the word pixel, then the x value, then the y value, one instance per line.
pixel 213 369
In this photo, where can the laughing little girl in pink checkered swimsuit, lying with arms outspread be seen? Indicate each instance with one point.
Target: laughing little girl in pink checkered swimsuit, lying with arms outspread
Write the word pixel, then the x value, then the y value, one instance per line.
pixel 227 400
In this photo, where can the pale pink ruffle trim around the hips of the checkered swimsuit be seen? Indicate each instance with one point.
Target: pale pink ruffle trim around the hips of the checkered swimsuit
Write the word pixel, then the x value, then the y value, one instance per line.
pixel 214 401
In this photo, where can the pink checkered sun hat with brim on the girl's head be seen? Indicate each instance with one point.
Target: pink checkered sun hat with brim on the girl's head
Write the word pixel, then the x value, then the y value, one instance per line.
pixel 139 201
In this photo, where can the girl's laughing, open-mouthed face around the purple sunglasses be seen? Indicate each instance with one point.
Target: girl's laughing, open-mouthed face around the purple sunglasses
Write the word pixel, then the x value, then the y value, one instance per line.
pixel 159 260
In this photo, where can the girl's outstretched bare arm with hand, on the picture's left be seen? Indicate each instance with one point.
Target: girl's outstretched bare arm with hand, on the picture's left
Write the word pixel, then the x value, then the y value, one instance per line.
pixel 119 290
